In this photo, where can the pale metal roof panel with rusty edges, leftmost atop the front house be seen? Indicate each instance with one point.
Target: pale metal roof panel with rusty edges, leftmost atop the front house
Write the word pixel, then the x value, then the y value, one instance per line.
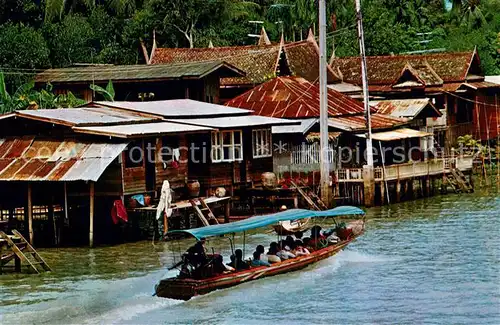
pixel 85 116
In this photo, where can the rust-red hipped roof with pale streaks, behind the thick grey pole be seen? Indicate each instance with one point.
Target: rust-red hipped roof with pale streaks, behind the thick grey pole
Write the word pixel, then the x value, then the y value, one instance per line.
pixel 294 97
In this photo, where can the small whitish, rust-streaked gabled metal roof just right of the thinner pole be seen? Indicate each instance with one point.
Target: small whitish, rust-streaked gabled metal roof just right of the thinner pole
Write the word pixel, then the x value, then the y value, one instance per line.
pixel 407 108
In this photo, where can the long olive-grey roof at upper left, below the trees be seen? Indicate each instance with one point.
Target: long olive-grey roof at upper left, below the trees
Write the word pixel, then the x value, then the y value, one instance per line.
pixel 103 73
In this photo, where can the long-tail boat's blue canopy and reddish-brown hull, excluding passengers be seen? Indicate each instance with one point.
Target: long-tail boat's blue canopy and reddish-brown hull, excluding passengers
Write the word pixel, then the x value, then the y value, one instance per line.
pixel 184 288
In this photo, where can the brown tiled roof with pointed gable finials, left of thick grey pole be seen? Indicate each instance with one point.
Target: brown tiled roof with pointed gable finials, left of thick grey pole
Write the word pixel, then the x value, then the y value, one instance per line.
pixel 260 62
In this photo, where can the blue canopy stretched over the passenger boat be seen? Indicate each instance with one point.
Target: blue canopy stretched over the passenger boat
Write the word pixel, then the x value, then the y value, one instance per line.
pixel 266 220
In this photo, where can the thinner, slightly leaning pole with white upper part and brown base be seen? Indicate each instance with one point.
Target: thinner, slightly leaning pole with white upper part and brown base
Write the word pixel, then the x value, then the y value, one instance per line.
pixel 368 174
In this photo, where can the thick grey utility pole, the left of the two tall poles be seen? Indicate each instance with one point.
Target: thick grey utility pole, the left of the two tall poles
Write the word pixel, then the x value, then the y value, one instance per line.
pixel 323 102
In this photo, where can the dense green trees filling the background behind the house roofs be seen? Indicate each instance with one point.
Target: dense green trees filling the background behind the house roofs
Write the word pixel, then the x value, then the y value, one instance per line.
pixel 37 34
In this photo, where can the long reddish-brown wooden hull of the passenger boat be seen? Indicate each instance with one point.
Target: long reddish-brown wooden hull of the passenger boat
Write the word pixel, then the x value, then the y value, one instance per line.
pixel 185 289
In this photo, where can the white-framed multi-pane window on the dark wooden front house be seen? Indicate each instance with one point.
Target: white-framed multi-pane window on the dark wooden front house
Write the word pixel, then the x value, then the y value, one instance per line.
pixel 227 146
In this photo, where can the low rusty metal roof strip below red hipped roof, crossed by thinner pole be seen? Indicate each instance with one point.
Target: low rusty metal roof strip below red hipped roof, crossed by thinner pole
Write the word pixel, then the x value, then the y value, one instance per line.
pixel 357 123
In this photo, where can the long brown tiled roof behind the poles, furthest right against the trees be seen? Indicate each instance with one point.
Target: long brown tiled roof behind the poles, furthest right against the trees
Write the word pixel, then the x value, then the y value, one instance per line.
pixel 385 70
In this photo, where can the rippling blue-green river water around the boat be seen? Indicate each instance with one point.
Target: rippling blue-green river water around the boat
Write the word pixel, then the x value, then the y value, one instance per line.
pixel 432 261
